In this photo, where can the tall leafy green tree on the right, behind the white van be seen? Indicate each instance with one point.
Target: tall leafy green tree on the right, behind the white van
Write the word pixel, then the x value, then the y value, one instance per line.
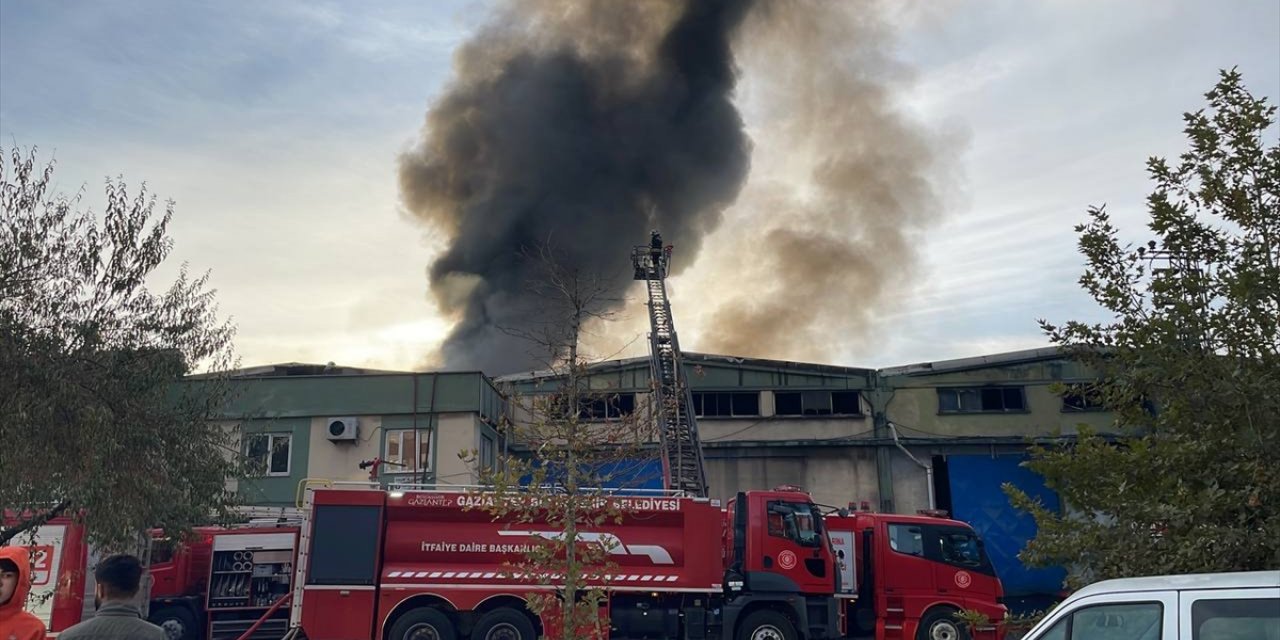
pixel 1190 364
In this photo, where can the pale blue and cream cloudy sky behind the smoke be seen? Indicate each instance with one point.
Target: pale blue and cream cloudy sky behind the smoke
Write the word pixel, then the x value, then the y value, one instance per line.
pixel 276 129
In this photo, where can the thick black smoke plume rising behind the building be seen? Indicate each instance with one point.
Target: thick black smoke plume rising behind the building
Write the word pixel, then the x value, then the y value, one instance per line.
pixel 586 125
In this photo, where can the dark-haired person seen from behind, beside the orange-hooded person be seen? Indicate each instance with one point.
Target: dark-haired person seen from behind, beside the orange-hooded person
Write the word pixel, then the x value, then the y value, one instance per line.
pixel 118 615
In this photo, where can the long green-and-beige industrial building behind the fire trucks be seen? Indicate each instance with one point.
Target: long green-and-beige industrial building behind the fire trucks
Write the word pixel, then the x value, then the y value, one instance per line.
pixel 941 435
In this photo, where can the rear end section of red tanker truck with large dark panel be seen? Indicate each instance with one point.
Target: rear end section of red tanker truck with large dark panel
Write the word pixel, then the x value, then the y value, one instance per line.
pixel 340 595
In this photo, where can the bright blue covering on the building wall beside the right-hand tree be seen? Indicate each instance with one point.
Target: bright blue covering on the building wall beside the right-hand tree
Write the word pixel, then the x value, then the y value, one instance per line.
pixel 977 499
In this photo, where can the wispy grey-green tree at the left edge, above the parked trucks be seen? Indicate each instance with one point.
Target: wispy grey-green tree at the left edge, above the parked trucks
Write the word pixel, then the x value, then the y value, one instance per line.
pixel 93 420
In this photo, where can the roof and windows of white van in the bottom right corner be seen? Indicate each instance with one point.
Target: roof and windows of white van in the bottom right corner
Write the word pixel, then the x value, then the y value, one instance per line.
pixel 1191 607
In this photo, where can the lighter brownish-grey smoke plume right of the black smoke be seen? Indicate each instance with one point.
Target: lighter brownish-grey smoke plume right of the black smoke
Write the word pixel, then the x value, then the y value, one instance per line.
pixel 844 185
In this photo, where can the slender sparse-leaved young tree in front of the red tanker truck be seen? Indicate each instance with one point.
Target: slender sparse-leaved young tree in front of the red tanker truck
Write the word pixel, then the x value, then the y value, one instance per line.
pixel 583 446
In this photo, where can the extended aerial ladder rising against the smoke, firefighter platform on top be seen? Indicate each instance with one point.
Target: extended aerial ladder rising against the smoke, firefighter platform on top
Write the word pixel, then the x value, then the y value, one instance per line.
pixel 678 431
